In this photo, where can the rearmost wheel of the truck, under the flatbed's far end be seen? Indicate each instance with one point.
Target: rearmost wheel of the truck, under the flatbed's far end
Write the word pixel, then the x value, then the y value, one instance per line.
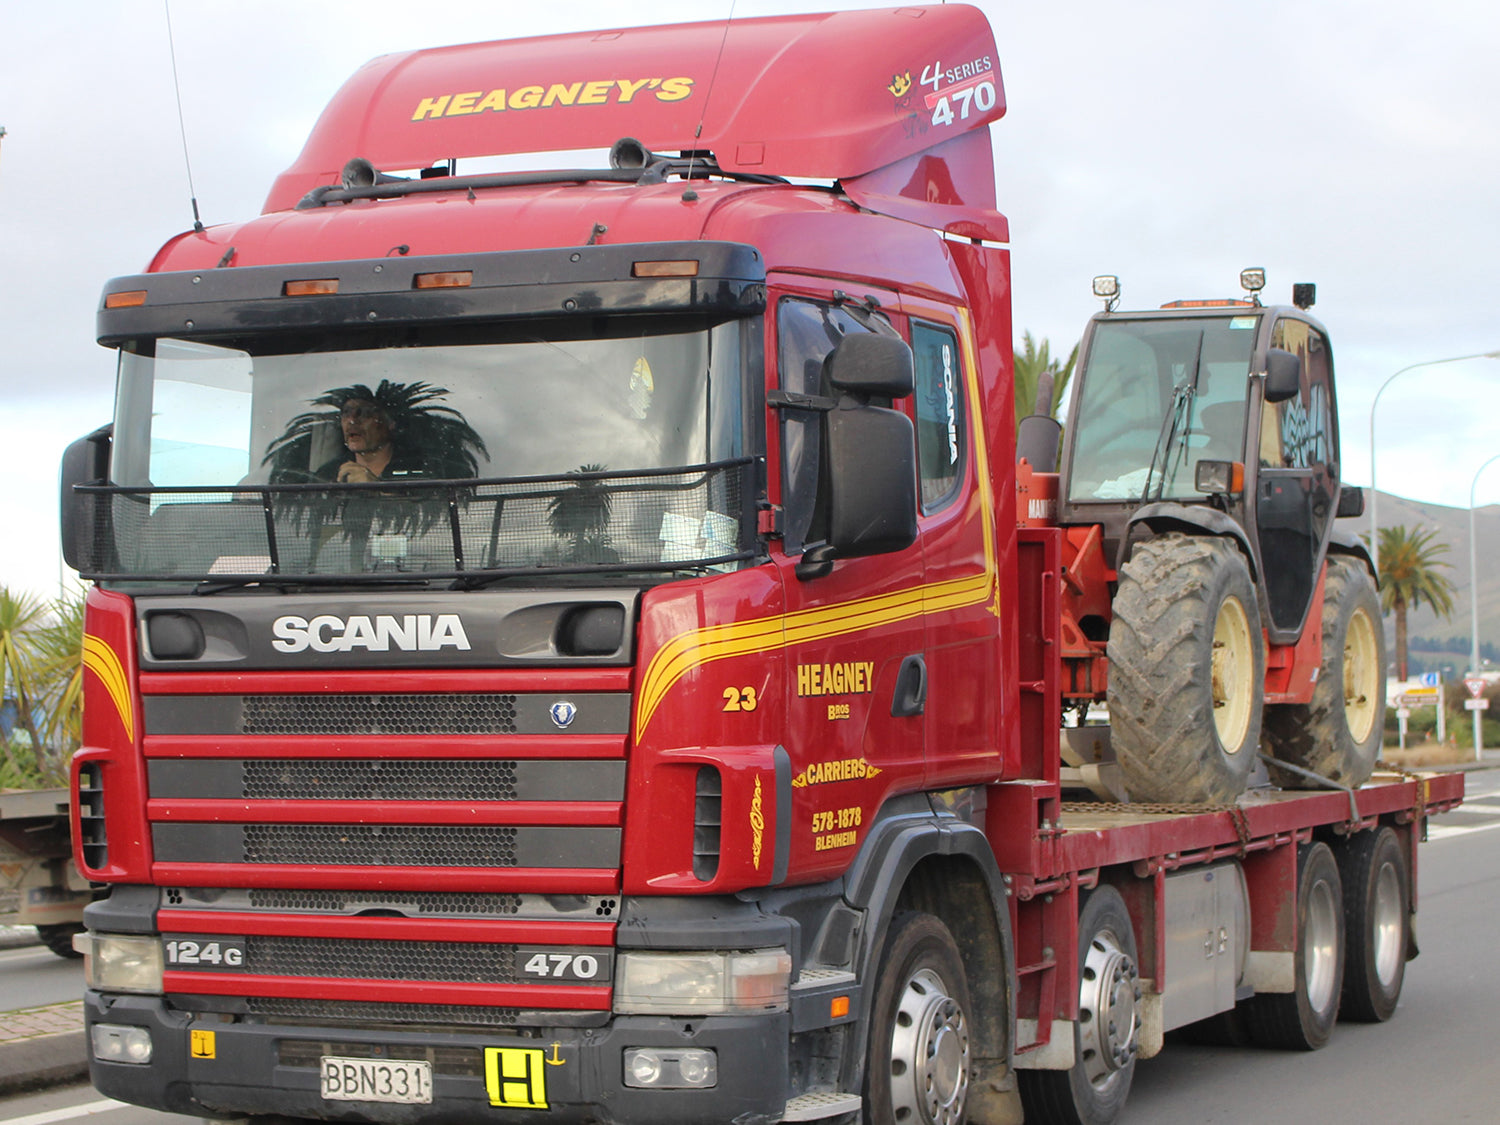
pixel 1378 914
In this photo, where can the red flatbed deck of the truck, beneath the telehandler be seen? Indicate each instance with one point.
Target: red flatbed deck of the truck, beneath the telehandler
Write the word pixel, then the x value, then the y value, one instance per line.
pixel 1076 847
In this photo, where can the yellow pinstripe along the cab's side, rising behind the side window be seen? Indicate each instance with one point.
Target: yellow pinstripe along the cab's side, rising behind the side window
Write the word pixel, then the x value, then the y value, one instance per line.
pixel 698 647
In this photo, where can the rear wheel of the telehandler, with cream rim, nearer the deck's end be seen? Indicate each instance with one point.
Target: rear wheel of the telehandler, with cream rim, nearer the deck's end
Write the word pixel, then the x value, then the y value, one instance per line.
pixel 1339 734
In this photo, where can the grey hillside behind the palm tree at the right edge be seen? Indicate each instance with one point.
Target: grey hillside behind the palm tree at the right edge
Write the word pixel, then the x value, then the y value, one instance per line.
pixel 1453 529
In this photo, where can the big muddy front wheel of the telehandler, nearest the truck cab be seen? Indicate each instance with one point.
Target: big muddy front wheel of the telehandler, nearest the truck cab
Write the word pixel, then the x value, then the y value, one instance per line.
pixel 1187 671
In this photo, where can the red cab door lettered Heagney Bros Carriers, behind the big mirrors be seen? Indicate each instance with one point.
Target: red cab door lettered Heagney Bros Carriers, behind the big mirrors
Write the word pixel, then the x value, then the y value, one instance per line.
pixel 854 631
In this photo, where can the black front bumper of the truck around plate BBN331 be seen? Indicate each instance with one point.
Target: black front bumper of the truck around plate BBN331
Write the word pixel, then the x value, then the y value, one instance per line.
pixel 209 1067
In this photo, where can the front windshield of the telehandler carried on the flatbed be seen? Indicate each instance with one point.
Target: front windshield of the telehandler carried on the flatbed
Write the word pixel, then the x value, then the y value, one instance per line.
pixel 1138 373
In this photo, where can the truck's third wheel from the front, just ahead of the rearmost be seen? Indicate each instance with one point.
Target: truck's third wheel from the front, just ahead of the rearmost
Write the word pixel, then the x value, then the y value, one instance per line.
pixel 1304 1019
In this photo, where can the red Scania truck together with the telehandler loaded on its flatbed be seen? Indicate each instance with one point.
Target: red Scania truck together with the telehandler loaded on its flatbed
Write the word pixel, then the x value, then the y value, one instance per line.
pixel 565 641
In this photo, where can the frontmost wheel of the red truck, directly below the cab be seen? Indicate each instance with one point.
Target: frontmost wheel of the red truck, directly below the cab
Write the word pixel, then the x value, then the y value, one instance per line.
pixel 917 1070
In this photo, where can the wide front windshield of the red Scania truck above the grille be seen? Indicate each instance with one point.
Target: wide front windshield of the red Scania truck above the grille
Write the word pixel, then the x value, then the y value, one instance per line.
pixel 317 457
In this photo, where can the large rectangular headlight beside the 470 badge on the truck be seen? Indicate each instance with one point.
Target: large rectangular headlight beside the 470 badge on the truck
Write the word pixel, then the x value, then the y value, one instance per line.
pixel 698 983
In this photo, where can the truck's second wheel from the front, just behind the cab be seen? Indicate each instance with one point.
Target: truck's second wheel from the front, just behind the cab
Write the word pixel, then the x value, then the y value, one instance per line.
pixel 1108 1033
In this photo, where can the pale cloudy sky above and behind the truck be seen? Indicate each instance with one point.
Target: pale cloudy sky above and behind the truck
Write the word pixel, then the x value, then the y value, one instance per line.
pixel 1354 145
